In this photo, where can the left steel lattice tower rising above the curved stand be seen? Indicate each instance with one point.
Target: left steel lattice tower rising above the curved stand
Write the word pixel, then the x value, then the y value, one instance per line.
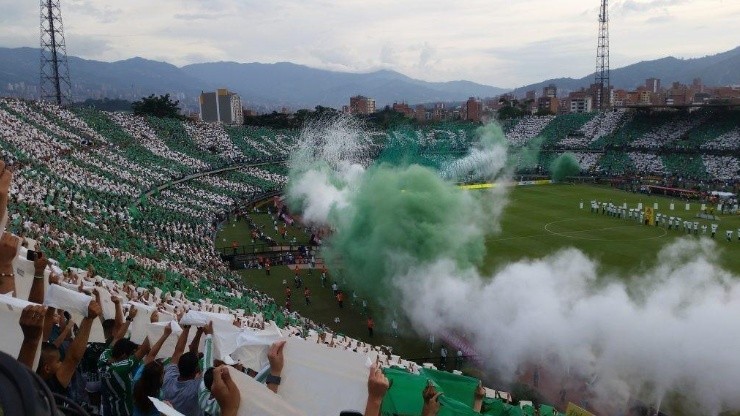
pixel 54 83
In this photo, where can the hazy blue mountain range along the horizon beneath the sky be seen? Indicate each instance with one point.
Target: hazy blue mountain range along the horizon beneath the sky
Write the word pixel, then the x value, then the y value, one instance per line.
pixel 271 86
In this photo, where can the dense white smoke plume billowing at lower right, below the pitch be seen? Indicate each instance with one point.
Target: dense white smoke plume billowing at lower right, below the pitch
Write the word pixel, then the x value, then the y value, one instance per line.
pixel 674 329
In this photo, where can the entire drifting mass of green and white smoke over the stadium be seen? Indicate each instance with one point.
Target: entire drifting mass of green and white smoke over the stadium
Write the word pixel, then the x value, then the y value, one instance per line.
pixel 413 240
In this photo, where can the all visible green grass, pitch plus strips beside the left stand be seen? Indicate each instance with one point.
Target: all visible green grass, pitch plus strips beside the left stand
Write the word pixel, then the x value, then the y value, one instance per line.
pixel 537 222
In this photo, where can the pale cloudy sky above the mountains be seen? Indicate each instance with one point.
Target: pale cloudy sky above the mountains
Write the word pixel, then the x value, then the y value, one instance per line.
pixel 506 43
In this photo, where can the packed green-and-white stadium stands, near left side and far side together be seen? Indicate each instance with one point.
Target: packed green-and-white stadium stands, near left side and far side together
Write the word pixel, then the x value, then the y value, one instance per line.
pixel 128 208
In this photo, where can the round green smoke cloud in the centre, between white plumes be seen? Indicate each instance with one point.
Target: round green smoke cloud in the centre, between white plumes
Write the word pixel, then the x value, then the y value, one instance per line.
pixel 400 217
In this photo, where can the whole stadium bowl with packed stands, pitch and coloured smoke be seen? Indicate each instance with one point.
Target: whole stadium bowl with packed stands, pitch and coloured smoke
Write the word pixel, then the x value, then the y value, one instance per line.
pixel 489 255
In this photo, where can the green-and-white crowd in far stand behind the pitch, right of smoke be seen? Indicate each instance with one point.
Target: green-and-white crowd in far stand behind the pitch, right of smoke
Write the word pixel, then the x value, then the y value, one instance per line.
pixel 626 142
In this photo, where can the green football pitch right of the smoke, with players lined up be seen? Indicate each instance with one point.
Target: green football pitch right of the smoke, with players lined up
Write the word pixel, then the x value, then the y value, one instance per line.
pixel 540 220
